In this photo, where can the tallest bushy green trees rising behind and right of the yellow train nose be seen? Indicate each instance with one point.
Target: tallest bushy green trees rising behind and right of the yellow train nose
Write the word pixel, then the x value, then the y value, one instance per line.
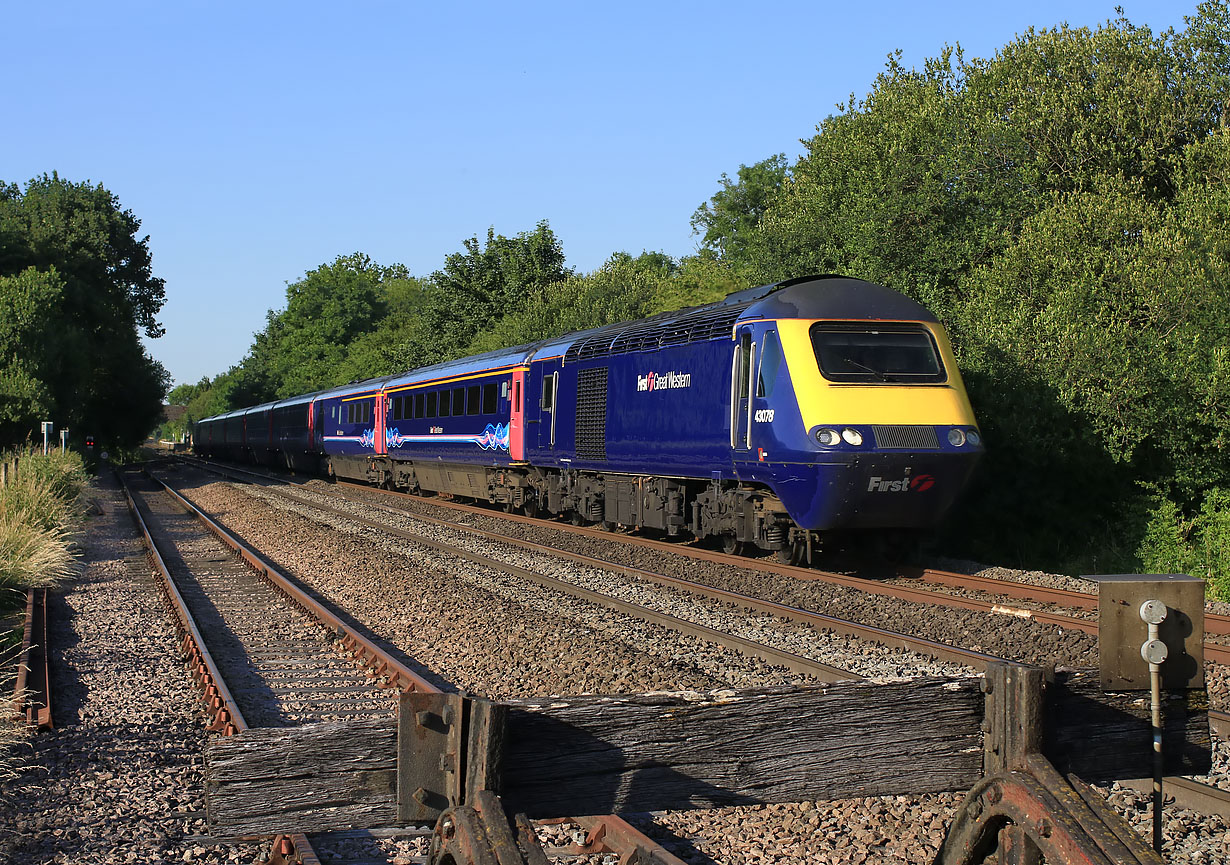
pixel 1063 207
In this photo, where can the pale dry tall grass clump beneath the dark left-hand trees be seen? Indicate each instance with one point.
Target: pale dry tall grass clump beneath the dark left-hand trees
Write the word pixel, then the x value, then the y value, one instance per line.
pixel 41 515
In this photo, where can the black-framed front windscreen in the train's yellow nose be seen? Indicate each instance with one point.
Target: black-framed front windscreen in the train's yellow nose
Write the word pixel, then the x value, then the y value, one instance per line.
pixel 878 354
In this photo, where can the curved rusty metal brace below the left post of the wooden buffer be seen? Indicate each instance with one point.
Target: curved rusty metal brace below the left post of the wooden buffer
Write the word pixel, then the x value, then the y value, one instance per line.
pixel 482 835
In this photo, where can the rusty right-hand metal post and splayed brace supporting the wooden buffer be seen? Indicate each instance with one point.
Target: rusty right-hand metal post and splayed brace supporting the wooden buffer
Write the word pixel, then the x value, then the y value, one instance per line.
pixel 1024 808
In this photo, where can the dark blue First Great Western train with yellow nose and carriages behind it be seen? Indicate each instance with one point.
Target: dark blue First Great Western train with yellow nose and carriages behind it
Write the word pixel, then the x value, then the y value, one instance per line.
pixel 769 418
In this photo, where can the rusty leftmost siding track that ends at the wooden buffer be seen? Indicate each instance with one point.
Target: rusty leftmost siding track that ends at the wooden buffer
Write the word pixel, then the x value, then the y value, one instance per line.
pixel 302 672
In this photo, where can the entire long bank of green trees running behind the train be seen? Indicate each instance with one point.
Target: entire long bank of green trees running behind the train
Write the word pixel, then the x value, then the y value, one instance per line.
pixel 1062 206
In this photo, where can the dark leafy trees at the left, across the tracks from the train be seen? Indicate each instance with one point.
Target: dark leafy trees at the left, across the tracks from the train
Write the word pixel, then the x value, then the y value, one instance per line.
pixel 77 287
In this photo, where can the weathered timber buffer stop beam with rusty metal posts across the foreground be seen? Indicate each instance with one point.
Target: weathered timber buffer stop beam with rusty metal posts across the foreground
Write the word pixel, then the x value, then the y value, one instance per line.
pixel 1025 743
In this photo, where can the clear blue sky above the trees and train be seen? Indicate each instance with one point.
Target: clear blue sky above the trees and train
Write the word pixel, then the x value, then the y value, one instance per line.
pixel 259 141
